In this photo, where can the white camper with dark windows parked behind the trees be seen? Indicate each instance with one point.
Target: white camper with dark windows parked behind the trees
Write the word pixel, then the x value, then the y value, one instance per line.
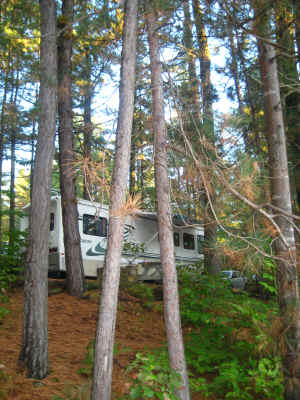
pixel 141 242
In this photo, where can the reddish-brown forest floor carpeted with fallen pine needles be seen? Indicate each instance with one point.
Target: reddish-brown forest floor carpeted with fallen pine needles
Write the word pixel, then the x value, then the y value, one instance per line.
pixel 72 326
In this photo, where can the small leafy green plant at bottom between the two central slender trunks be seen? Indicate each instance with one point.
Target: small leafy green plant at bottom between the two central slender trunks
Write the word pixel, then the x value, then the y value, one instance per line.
pixel 154 378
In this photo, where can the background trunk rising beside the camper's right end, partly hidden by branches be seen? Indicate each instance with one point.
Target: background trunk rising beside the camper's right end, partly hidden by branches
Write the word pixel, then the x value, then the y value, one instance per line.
pixel 212 261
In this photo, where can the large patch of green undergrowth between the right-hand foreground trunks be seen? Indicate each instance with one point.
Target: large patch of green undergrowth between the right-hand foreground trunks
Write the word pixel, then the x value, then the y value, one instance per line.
pixel 230 342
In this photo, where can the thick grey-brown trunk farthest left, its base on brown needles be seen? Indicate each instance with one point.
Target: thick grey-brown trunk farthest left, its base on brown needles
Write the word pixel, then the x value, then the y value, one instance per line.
pixel 34 350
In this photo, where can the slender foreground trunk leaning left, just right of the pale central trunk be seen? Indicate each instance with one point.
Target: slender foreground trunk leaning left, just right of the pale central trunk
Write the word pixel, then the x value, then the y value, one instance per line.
pixel 165 226
